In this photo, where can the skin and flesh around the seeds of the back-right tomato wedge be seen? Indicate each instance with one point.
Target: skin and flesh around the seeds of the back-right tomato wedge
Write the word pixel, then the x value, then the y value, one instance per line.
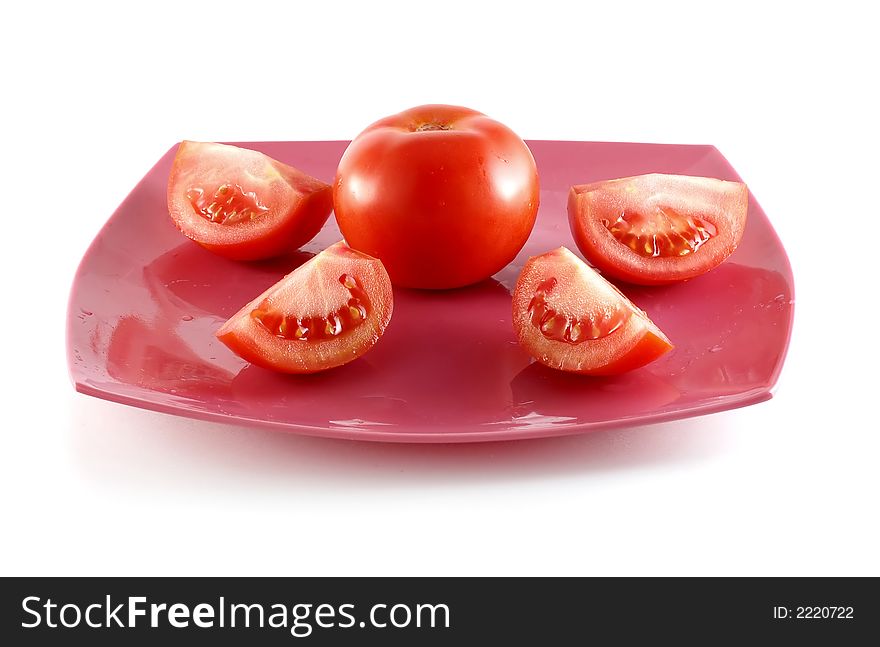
pixel 616 260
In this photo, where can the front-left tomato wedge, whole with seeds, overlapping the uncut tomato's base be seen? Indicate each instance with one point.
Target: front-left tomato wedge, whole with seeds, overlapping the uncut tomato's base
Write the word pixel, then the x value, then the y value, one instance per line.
pixel 327 312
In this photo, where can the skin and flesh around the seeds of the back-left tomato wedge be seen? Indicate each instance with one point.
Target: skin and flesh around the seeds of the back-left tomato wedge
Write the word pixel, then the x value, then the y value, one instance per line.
pixel 299 205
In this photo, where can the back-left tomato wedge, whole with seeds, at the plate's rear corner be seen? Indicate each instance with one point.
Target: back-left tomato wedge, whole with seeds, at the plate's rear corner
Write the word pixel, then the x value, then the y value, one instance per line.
pixel 242 204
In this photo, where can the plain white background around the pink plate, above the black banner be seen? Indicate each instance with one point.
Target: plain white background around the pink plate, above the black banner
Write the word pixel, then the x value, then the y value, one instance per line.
pixel 94 94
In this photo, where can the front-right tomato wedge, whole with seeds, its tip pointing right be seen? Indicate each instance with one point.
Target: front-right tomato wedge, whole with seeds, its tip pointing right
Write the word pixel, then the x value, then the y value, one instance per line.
pixel 570 318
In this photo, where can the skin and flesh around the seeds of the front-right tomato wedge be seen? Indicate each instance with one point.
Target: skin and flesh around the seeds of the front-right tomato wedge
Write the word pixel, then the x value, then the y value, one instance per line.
pixel 637 343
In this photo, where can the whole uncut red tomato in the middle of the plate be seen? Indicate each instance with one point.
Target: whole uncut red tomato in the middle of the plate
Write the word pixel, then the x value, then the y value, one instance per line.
pixel 442 195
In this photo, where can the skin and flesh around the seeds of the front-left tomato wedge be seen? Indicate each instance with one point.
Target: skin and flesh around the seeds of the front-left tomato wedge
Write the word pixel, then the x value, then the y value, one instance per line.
pixel 252 342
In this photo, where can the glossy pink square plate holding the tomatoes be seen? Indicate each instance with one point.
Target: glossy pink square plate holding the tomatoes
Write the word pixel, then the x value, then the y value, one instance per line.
pixel 146 301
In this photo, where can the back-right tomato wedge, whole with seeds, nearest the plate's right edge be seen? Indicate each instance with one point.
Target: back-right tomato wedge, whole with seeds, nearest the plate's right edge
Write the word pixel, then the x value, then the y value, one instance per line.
pixel 656 229
